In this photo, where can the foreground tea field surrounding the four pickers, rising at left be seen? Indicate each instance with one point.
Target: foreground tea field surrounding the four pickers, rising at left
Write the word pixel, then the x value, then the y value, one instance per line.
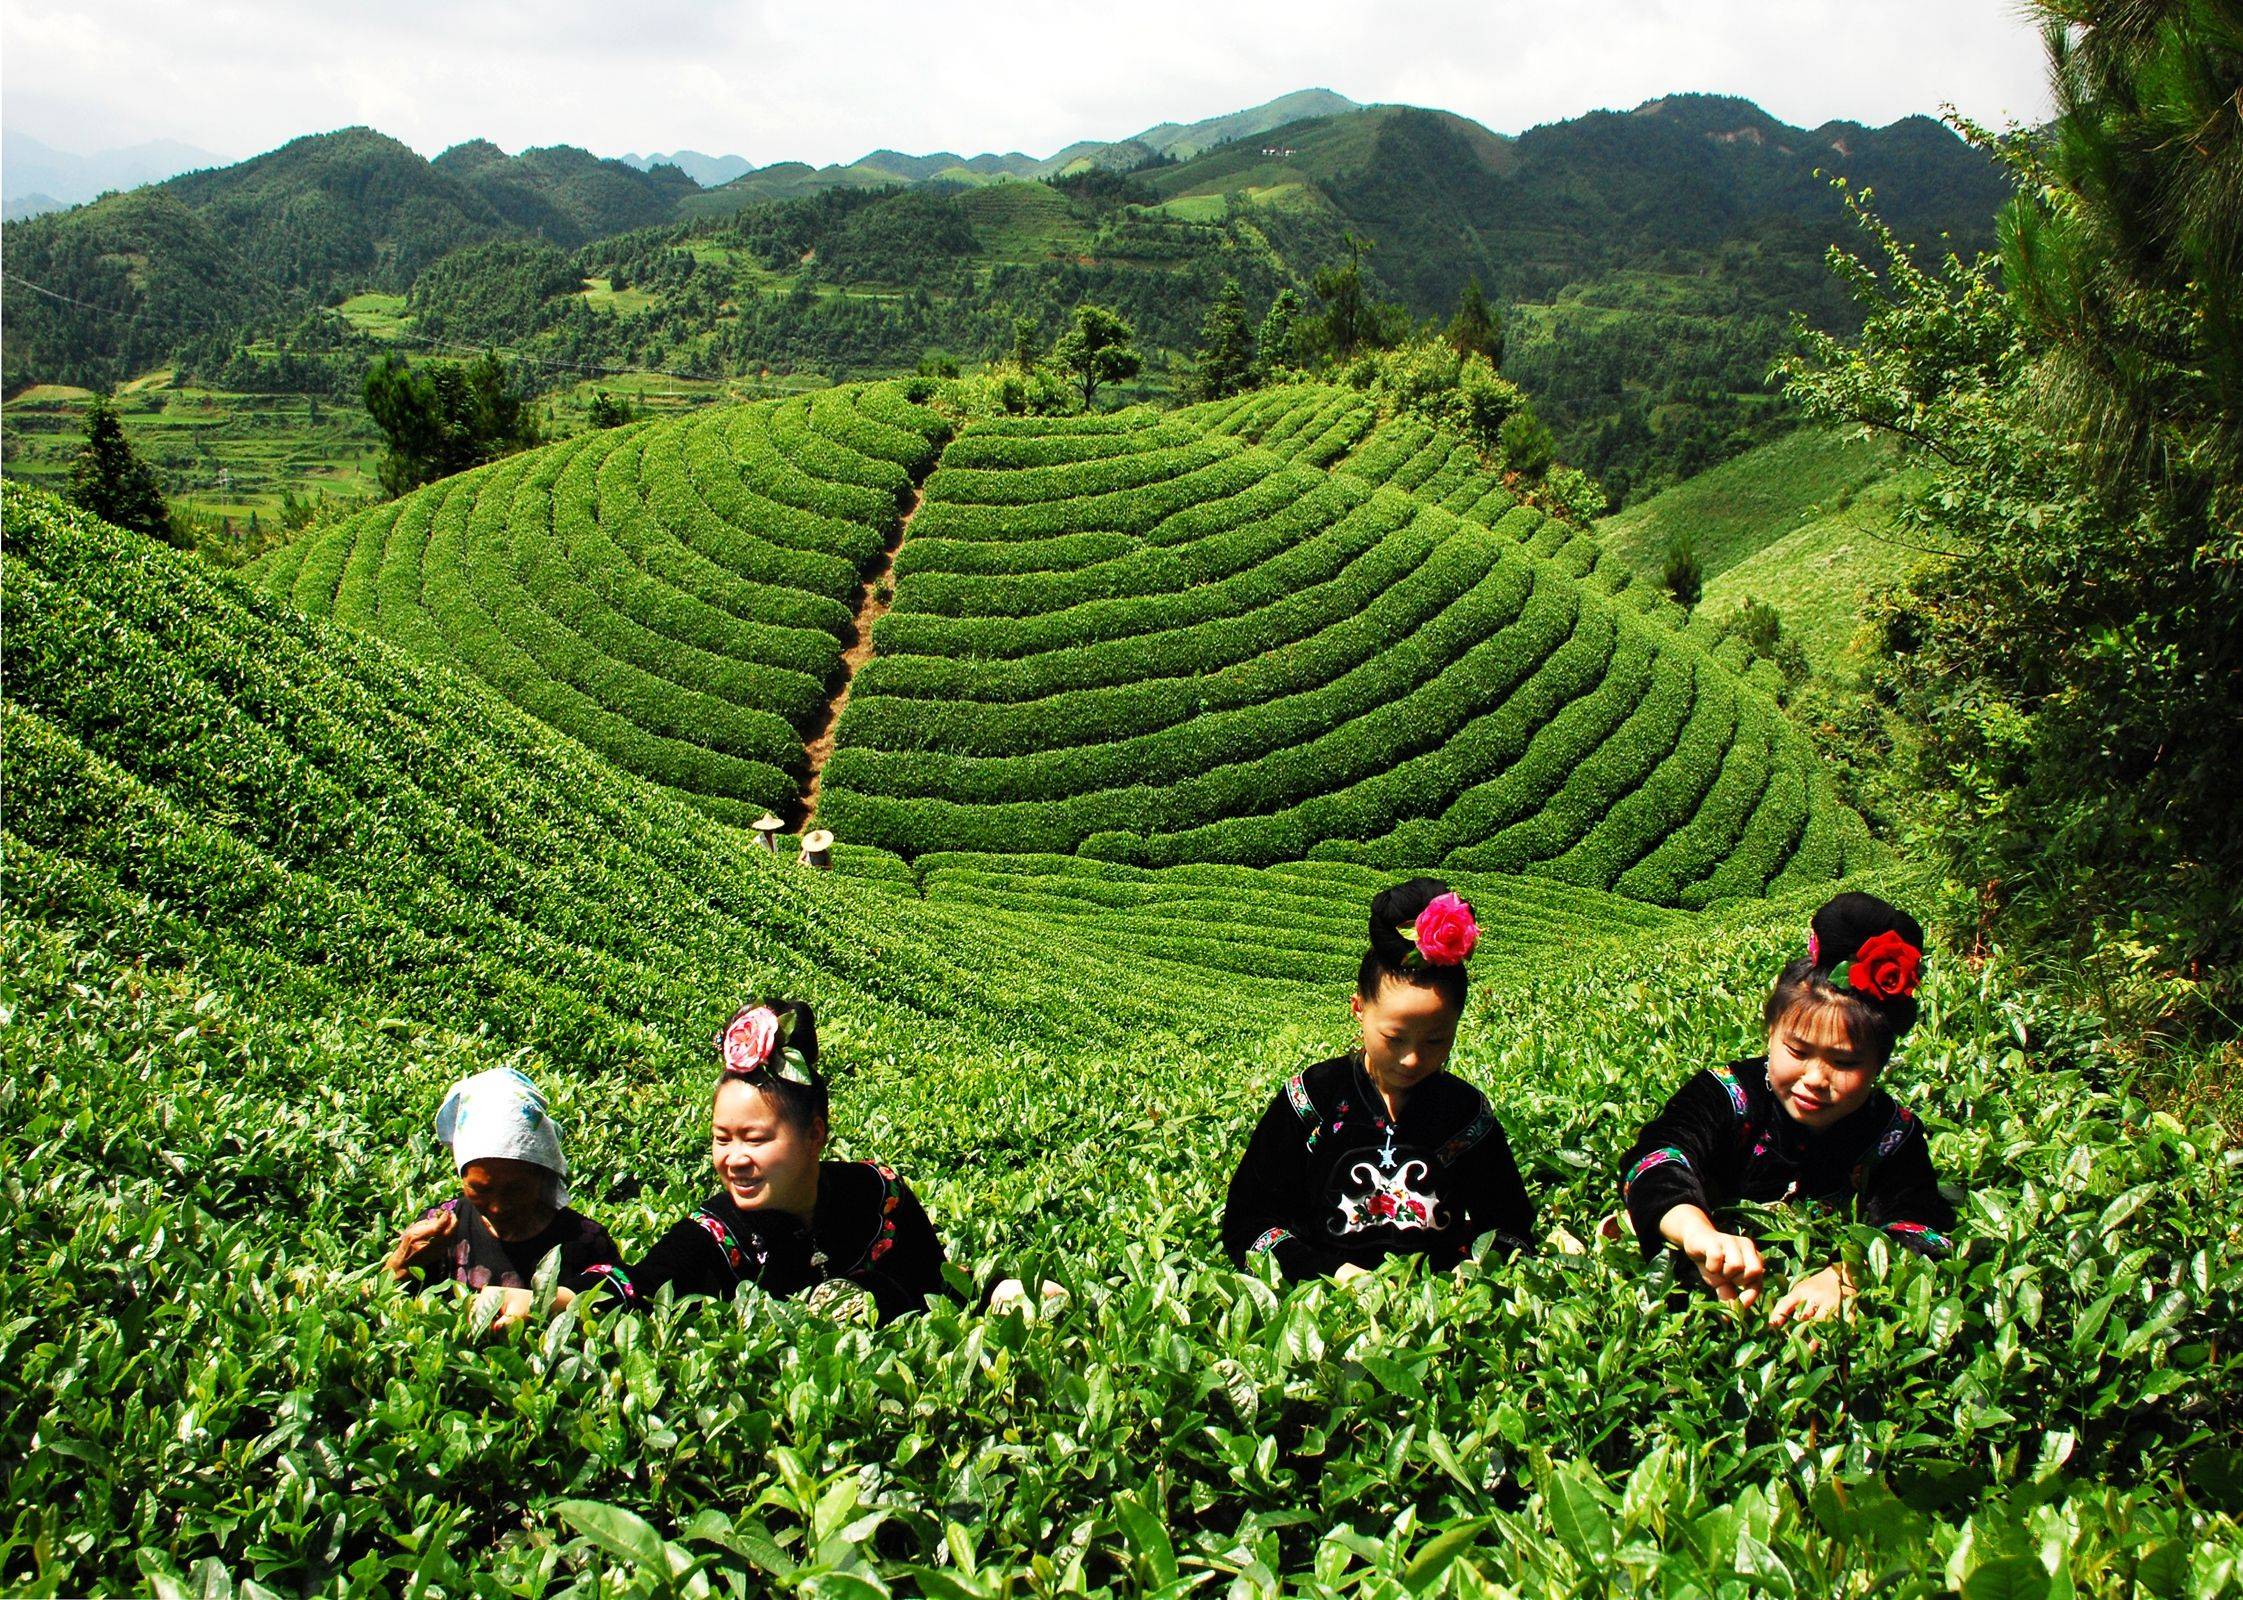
pixel 273 885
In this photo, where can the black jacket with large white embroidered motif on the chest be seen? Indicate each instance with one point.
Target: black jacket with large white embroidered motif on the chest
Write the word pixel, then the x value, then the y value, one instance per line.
pixel 1329 1179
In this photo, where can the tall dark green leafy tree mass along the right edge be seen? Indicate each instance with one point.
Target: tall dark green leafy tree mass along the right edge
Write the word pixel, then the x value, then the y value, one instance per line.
pixel 2071 677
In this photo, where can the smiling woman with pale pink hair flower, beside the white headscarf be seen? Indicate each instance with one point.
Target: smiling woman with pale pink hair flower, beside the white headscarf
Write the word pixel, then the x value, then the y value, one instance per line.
pixel 840 1233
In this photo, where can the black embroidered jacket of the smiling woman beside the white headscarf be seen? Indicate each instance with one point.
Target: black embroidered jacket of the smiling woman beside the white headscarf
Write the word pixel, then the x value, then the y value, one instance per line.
pixel 869 1231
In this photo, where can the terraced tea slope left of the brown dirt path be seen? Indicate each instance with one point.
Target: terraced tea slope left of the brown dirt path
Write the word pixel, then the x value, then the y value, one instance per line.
pixel 676 594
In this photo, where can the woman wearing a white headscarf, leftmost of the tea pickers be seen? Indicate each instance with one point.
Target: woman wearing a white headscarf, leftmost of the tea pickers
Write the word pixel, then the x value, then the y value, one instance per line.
pixel 513 1208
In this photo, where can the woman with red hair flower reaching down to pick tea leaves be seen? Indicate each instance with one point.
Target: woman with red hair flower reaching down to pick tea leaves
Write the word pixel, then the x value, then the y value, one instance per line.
pixel 1802 1123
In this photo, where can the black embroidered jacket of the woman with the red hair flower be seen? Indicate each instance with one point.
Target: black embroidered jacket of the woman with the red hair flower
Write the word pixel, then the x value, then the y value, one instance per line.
pixel 1724 1139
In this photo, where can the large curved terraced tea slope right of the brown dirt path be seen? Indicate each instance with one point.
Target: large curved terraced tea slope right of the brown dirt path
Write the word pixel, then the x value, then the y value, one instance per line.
pixel 1129 638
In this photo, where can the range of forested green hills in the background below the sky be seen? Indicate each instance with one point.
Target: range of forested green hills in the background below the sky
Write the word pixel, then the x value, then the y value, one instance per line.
pixel 1647 264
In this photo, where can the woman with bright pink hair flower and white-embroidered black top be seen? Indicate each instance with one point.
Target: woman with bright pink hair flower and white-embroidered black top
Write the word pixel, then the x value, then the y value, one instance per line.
pixel 1383 1150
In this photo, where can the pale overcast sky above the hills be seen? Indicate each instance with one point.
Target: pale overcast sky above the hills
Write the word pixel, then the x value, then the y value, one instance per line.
pixel 829 80
